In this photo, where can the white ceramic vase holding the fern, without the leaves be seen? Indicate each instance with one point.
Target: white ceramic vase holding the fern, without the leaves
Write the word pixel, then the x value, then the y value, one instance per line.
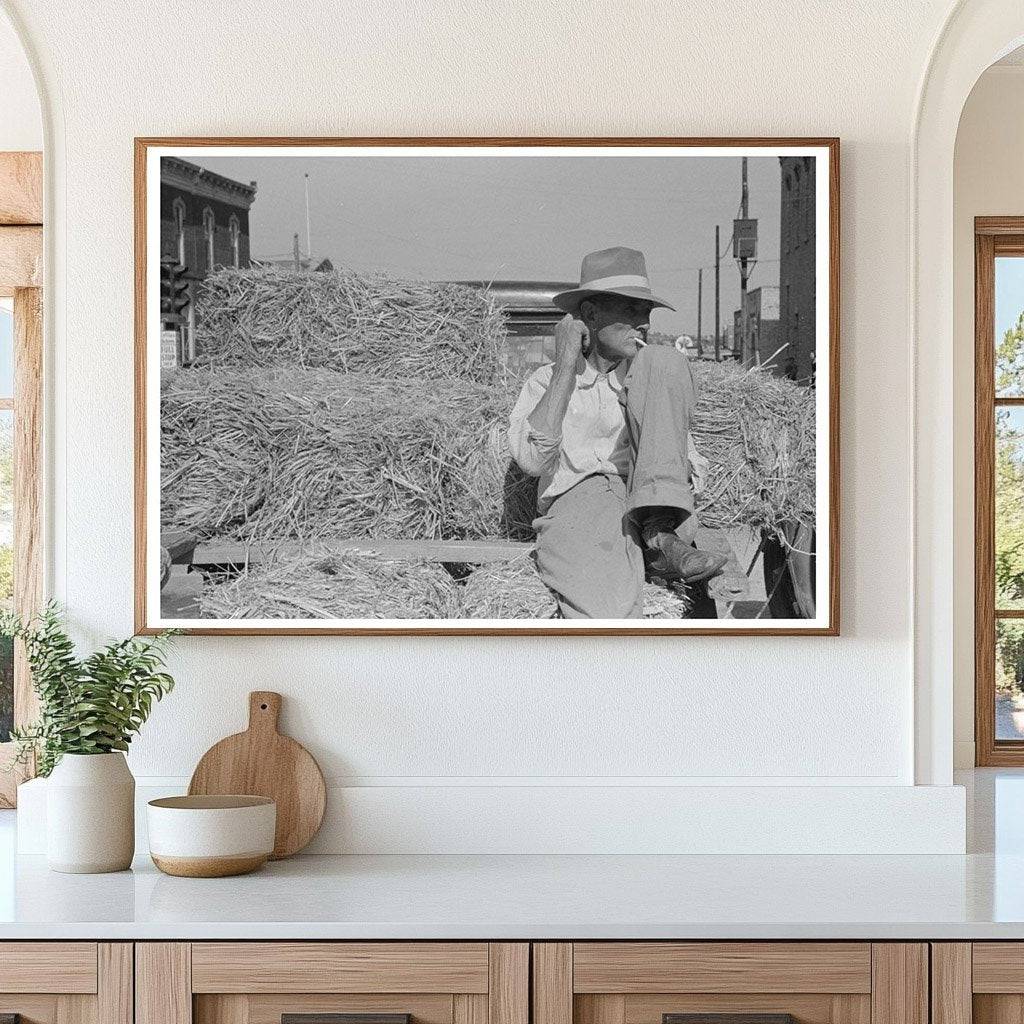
pixel 91 815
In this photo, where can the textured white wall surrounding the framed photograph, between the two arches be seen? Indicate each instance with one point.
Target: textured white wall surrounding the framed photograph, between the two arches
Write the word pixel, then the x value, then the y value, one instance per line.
pixel 446 713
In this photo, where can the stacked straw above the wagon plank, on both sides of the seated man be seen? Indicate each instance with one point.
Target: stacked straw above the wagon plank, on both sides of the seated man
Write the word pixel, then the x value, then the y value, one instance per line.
pixel 339 405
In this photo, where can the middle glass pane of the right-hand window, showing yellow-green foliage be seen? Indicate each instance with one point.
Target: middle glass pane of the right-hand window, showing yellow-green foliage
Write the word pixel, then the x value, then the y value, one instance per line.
pixel 1010 508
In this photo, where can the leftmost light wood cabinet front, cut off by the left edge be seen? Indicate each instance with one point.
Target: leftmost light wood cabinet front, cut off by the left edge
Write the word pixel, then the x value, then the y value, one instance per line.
pixel 67 983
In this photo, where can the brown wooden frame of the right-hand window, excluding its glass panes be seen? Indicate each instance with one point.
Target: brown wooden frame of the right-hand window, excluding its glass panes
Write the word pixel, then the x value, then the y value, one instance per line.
pixel 995 237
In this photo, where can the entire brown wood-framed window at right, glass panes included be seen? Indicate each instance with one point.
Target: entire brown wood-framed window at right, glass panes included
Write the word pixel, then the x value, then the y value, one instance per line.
pixel 1000 492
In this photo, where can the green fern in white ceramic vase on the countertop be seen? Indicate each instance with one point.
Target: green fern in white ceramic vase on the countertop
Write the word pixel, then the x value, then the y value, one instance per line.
pixel 90 709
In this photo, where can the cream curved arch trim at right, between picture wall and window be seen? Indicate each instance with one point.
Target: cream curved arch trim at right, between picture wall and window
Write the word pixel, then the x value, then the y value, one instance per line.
pixel 976 34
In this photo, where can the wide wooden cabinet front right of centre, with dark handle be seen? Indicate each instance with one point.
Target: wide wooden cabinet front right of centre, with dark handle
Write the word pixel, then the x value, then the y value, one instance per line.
pixel 751 983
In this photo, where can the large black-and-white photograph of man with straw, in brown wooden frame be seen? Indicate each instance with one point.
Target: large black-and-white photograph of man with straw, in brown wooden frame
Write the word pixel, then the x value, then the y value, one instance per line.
pixel 488 386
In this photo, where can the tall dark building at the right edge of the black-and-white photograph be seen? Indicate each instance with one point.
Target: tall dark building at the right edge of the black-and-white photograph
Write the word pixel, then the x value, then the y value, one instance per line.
pixel 797 269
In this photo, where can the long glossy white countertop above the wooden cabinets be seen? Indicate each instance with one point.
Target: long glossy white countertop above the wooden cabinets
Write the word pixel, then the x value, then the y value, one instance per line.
pixel 533 898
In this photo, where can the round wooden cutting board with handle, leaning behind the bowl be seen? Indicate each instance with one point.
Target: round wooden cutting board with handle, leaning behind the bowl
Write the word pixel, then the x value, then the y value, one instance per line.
pixel 261 762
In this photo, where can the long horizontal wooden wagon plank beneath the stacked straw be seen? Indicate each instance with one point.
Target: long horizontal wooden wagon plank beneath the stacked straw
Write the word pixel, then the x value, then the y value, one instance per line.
pixel 215 553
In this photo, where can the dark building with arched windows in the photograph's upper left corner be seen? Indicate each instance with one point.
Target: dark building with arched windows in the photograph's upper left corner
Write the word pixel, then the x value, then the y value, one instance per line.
pixel 204 224
